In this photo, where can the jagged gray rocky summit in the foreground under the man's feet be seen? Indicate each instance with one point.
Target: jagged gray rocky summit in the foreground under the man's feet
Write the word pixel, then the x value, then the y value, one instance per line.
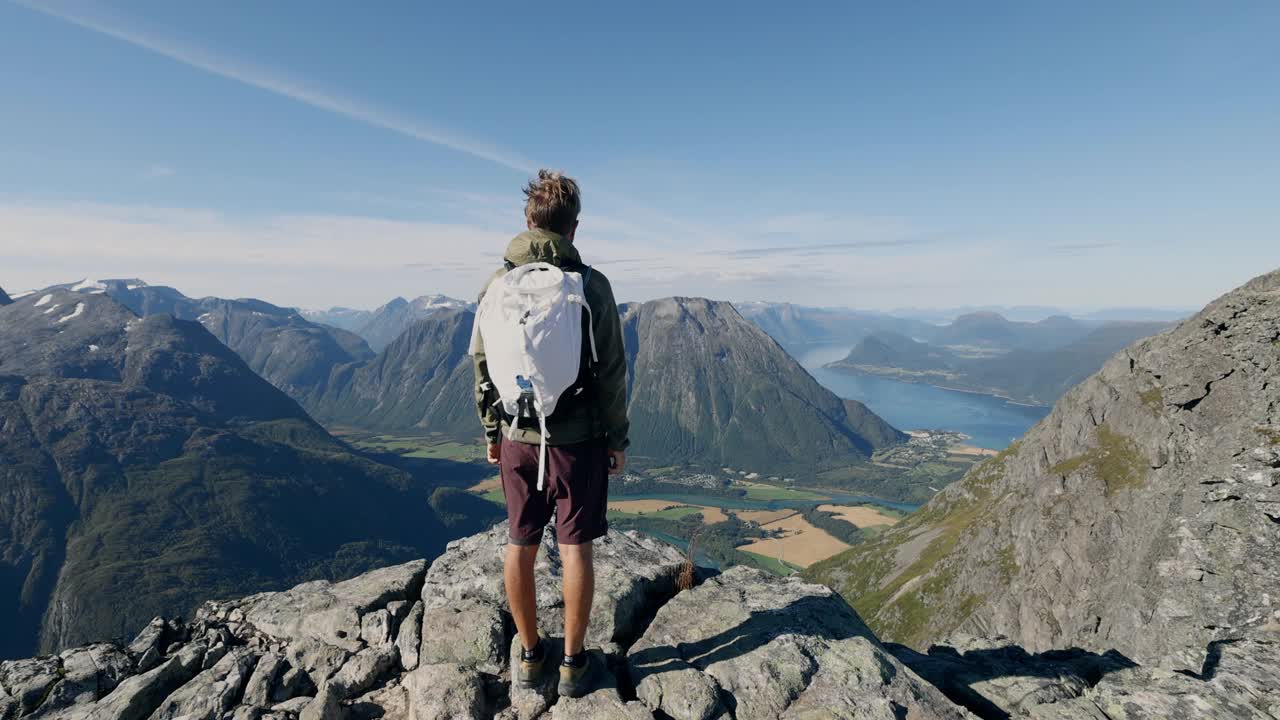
pixel 432 642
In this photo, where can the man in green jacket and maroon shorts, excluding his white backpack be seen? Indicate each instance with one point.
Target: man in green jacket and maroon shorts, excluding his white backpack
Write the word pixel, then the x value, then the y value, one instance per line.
pixel 587 439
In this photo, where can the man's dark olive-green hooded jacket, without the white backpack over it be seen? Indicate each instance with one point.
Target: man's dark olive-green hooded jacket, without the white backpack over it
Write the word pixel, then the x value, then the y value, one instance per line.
pixel 605 414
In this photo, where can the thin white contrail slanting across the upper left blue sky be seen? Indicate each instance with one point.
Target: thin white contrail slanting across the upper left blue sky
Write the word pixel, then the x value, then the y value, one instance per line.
pixel 273 83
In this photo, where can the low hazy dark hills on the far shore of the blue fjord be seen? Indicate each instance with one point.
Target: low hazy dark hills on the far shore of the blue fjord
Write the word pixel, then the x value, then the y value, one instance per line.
pixel 1036 377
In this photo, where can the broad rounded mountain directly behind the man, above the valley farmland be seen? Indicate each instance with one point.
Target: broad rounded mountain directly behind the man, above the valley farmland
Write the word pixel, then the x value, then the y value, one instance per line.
pixel 707 388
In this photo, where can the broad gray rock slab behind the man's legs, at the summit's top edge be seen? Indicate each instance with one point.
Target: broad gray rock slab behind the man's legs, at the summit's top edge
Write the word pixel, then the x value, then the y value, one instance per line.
pixel 634 575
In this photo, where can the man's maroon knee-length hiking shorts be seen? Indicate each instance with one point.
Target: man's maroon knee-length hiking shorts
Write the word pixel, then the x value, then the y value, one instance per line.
pixel 577 490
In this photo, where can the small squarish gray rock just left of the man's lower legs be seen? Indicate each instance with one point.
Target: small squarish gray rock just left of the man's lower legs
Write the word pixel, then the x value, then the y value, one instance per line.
pixel 465 634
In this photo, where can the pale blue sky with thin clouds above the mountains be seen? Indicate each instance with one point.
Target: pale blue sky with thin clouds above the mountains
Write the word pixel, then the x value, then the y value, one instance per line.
pixel 925 154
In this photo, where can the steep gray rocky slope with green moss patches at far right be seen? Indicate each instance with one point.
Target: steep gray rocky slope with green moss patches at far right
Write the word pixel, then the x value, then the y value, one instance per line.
pixel 1142 516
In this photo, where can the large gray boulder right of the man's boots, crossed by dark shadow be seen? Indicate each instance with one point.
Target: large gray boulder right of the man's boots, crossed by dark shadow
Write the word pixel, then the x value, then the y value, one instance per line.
pixel 775 649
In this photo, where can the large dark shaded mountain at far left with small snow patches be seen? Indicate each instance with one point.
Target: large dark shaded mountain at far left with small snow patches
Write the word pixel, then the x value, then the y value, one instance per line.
pixel 148 467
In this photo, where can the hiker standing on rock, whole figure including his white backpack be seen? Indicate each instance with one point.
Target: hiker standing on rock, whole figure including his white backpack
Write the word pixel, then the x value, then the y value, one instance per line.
pixel 551 388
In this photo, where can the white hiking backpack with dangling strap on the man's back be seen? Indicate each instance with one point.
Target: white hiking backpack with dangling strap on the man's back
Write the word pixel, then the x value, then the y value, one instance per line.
pixel 531 322
